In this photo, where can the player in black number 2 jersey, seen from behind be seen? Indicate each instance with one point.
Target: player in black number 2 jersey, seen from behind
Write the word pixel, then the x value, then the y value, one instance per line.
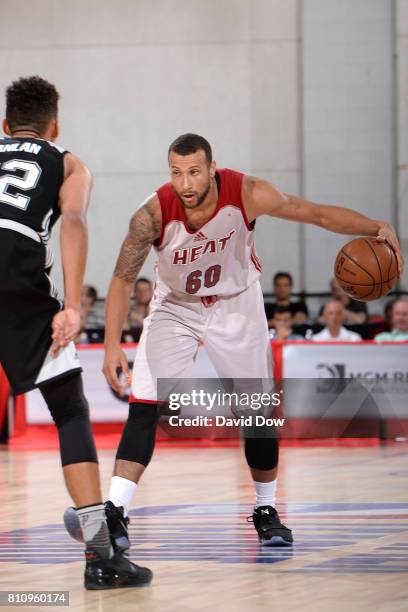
pixel 40 182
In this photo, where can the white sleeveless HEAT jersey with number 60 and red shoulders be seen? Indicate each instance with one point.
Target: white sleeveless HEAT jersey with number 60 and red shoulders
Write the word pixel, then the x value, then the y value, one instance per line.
pixel 219 259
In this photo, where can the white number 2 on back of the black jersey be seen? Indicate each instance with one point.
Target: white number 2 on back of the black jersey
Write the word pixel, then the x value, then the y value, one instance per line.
pixel 28 180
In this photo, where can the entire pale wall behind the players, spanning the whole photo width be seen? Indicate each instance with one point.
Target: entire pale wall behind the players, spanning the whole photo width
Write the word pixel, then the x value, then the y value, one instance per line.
pixel 134 74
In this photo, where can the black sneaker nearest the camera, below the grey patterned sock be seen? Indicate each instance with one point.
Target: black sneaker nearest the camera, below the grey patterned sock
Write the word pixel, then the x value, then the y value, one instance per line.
pixel 115 573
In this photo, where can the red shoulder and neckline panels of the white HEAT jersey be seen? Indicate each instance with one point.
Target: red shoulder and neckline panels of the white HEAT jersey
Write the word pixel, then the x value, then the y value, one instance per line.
pixel 230 193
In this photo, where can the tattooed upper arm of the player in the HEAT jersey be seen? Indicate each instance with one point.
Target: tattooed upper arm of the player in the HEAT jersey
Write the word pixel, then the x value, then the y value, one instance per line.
pixel 144 228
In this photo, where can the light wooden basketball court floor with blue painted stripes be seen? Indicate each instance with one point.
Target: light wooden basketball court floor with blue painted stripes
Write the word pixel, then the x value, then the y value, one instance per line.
pixel 348 508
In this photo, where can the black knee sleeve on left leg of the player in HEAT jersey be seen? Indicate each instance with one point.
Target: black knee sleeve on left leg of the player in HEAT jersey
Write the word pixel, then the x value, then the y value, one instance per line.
pixel 138 436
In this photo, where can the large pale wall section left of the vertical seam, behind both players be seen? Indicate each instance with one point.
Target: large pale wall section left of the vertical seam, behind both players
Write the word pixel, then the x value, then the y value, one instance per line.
pixel 133 75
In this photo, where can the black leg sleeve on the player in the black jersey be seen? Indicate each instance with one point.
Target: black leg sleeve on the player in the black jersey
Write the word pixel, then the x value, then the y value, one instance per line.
pixel 69 408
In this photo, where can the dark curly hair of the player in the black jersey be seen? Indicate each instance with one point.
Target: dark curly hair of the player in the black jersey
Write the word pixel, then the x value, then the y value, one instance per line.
pixel 31 102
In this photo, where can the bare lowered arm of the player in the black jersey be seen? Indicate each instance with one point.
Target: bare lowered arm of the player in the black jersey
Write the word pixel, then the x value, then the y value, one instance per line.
pixel 73 202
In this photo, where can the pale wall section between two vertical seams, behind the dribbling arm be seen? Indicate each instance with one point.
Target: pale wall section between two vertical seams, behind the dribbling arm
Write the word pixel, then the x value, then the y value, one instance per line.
pixel 348 117
